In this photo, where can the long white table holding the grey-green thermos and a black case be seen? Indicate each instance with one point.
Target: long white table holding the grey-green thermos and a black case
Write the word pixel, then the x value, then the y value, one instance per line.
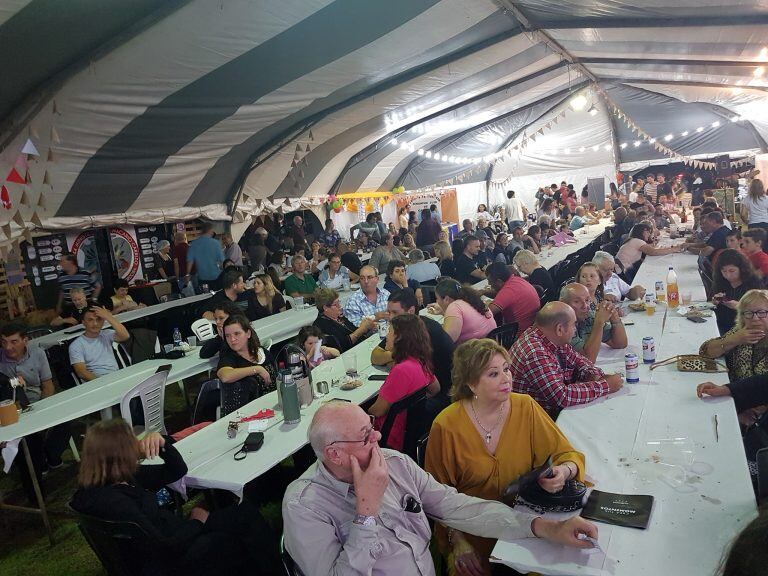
pixel 209 453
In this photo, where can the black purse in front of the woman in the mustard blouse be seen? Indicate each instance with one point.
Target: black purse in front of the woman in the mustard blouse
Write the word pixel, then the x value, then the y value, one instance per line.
pixel 526 491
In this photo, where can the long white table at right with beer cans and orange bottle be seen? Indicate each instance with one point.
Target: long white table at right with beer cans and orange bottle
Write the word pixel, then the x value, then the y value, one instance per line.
pixel 656 437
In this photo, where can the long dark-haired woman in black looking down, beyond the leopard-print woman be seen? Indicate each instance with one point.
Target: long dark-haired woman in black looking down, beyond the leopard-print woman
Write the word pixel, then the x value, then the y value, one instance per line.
pixel 733 276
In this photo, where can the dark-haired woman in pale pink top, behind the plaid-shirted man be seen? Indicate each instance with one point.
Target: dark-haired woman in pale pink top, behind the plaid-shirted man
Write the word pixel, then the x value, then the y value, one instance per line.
pixel 465 315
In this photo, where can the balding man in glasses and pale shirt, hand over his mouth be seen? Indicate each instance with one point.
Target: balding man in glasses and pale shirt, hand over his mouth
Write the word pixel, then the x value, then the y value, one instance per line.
pixel 361 509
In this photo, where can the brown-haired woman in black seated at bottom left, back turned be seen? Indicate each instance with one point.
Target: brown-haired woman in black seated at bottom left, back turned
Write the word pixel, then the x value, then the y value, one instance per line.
pixel 114 486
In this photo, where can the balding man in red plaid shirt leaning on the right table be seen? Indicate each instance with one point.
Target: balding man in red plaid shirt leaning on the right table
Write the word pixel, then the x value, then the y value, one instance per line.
pixel 545 366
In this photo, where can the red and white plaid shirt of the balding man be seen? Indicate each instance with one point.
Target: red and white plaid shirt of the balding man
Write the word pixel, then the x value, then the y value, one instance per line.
pixel 556 376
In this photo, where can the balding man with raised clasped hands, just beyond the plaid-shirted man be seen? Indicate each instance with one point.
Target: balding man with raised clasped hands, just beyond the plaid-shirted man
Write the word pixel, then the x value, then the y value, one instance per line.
pixel 593 327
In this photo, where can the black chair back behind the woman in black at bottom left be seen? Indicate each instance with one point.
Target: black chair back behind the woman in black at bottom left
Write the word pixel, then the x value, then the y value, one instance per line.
pixel 114 544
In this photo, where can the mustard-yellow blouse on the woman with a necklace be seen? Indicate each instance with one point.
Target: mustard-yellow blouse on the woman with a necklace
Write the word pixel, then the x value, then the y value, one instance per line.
pixel 457 455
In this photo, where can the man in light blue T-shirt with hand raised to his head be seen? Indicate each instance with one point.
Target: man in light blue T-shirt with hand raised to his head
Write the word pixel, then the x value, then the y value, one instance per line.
pixel 91 353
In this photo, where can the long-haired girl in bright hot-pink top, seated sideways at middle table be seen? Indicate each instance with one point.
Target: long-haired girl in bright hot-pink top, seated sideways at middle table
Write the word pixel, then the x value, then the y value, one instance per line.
pixel 409 342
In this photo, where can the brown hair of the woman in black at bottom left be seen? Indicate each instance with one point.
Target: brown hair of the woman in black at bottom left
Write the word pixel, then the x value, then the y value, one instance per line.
pixel 110 454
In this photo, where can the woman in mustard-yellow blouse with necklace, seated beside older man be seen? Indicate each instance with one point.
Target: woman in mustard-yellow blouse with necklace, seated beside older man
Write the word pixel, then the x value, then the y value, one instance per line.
pixel 486 439
